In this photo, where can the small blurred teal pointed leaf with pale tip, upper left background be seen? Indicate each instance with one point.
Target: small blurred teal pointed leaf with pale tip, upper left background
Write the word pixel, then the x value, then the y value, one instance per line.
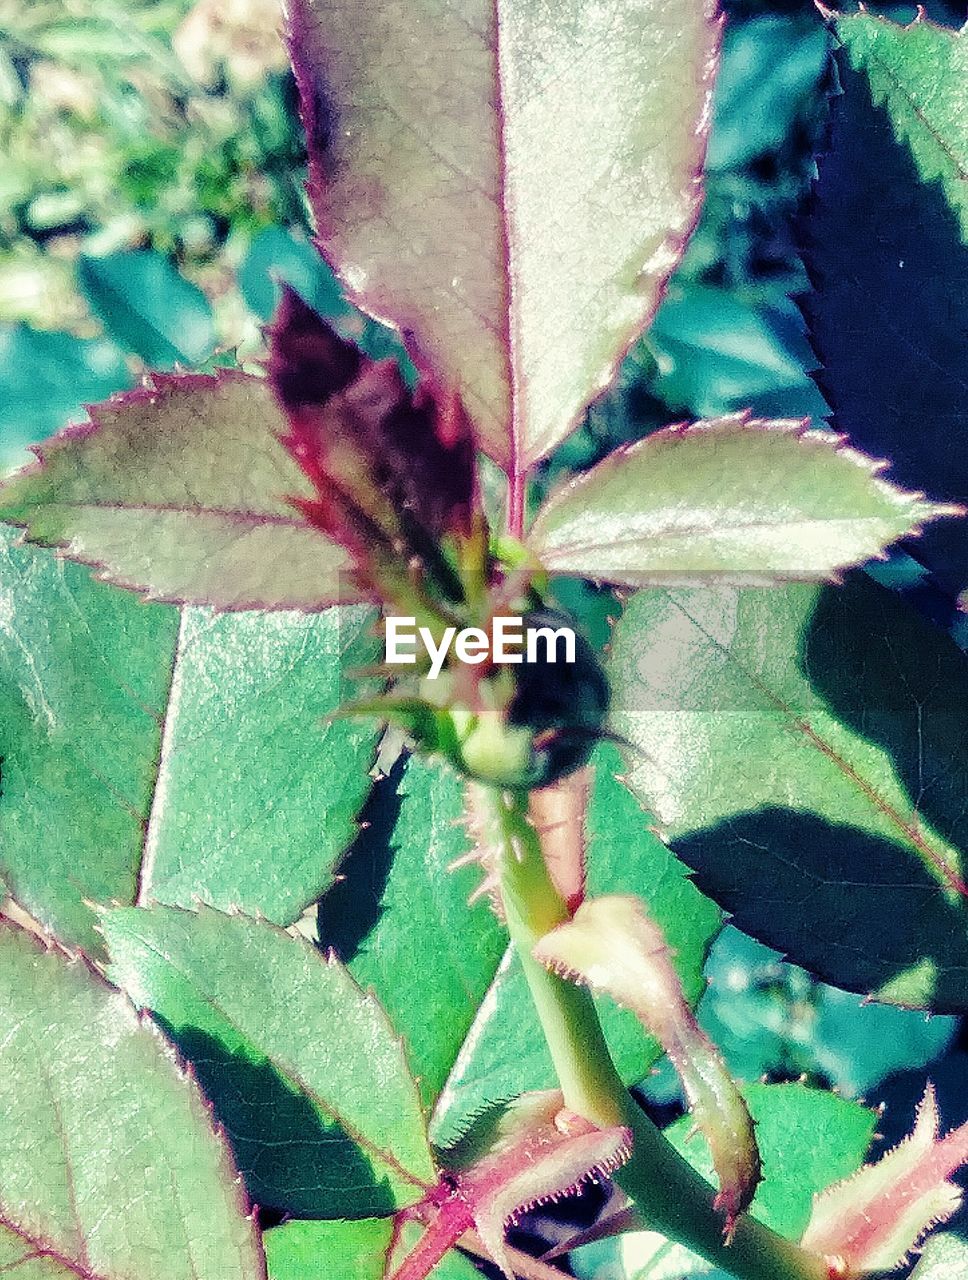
pixel 148 308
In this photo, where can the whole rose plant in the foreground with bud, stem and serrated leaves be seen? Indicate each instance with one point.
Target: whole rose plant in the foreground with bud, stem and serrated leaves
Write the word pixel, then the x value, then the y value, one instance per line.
pixel 223 988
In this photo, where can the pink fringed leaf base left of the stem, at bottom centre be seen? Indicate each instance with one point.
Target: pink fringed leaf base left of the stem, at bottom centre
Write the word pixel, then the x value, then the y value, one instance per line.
pixel 536 1151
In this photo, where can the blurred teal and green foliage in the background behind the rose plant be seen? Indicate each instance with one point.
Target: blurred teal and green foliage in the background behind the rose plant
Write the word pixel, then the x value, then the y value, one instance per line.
pixel 150 196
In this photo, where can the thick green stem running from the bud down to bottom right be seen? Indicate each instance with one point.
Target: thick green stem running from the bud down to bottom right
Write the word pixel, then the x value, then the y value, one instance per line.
pixel 672 1196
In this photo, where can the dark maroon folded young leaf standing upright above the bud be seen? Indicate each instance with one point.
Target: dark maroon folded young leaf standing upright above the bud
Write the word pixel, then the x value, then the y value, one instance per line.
pixel 404 460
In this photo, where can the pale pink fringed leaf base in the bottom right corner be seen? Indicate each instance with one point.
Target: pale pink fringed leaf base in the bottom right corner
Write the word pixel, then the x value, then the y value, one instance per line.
pixel 871 1222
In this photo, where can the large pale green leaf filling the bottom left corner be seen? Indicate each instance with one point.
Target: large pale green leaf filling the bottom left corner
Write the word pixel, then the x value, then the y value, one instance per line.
pixel 109 1167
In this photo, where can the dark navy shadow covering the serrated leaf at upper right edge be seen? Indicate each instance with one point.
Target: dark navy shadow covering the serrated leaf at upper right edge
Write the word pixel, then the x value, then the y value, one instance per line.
pixel 889 314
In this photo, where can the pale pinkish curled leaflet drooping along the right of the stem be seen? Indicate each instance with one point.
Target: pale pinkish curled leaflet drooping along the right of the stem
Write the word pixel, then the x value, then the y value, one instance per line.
pixel 615 948
